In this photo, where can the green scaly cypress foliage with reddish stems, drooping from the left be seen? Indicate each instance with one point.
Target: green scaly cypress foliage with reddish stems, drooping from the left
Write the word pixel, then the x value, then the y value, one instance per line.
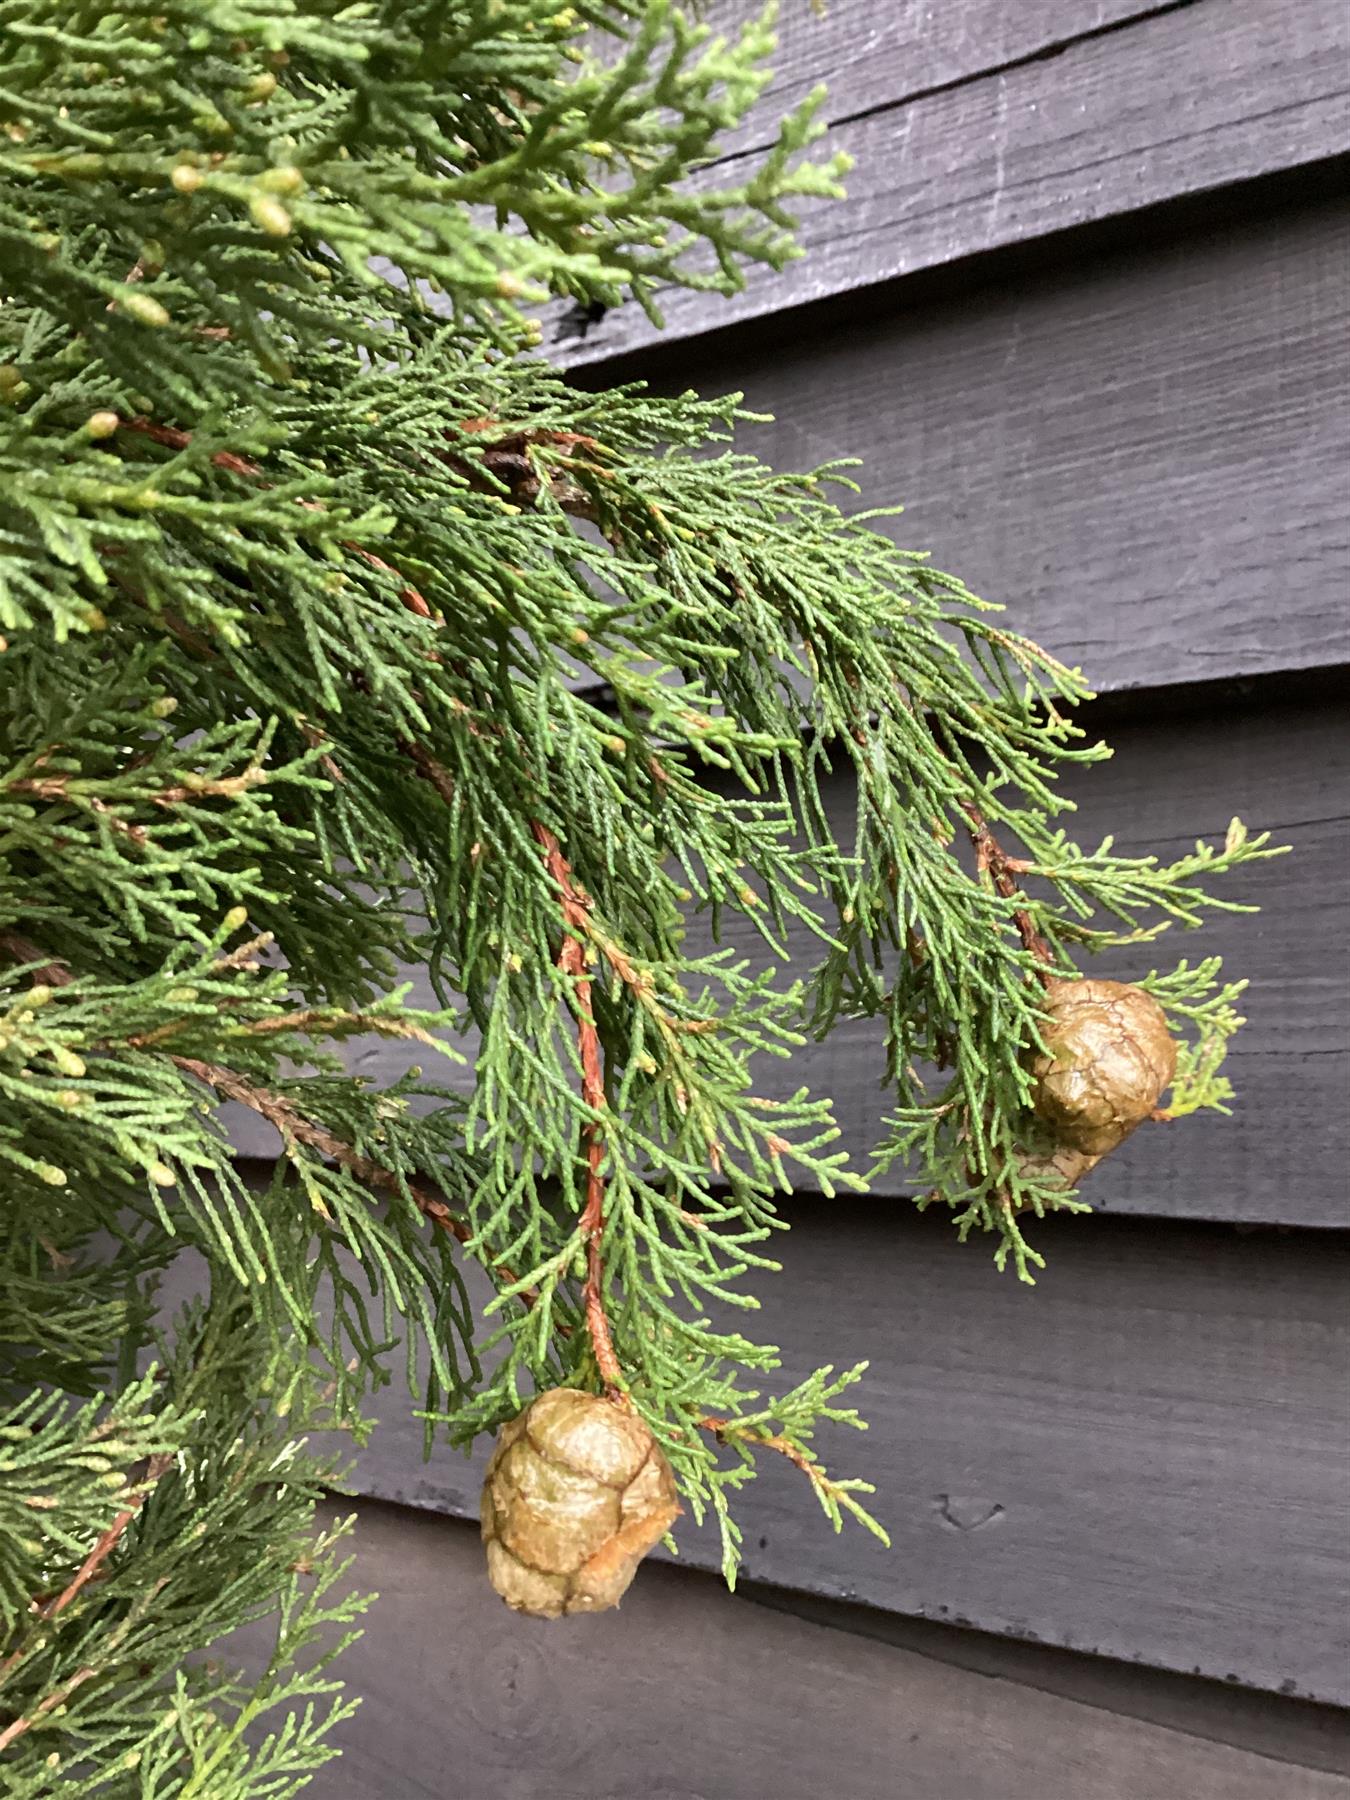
pixel 343 636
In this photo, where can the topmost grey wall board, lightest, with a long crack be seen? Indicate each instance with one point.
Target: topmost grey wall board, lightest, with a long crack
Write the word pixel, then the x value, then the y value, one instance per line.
pixel 1182 102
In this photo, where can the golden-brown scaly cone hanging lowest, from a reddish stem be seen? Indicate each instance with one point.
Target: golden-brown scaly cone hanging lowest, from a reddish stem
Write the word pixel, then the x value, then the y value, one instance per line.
pixel 577 1493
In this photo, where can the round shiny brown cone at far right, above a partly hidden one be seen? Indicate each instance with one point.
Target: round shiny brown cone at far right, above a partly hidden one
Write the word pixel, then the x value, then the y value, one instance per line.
pixel 1108 1061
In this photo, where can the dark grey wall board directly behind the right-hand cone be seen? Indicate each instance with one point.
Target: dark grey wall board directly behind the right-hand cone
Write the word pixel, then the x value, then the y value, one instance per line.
pixel 1282 1156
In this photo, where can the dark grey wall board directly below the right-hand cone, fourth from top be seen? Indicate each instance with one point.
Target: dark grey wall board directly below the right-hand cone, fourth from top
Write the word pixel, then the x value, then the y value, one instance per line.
pixel 1146 1457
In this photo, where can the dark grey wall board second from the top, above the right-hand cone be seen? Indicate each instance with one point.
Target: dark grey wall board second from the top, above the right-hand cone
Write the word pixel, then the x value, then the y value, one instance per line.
pixel 1140 454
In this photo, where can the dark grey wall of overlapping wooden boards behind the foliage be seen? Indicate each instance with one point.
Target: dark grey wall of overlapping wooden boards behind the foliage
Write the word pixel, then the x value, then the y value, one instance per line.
pixel 1086 314
